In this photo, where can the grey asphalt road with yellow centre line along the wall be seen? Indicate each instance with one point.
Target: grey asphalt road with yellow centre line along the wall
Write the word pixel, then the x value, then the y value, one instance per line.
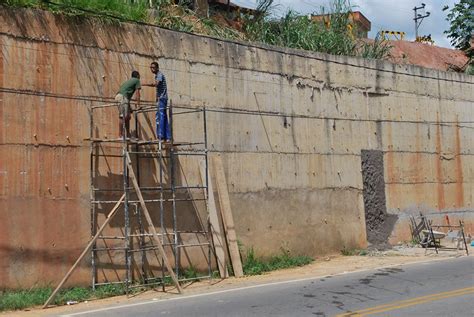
pixel 440 288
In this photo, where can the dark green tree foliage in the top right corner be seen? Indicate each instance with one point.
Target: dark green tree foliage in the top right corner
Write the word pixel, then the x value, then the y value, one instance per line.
pixel 461 19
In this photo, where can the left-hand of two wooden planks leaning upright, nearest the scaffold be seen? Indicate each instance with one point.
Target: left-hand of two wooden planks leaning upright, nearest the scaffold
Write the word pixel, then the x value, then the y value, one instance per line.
pixel 214 221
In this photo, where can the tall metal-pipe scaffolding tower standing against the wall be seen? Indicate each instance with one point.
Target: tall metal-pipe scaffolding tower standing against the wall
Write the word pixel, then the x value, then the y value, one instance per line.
pixel 126 254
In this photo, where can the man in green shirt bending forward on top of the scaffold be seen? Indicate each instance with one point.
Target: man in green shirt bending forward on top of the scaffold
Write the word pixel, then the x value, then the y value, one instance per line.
pixel 123 97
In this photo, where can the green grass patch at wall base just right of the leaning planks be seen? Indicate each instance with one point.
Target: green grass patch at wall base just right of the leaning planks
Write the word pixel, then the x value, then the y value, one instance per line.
pixel 255 266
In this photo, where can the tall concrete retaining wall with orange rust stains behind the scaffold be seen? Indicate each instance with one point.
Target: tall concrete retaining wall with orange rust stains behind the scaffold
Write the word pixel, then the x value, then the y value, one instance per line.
pixel 290 126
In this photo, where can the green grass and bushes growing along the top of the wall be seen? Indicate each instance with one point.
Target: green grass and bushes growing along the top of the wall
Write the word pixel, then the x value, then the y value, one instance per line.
pixel 292 30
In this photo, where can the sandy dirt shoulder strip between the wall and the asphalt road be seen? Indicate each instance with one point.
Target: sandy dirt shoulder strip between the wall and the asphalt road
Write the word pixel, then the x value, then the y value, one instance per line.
pixel 321 267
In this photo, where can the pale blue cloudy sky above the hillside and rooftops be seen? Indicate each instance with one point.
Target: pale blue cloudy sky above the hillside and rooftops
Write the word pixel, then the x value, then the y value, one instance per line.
pixel 388 15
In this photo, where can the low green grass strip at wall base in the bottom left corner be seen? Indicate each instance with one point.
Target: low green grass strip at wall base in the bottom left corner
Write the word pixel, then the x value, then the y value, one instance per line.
pixel 21 299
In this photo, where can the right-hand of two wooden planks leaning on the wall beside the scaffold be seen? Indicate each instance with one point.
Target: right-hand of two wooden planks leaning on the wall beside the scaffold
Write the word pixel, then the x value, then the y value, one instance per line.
pixel 227 217
